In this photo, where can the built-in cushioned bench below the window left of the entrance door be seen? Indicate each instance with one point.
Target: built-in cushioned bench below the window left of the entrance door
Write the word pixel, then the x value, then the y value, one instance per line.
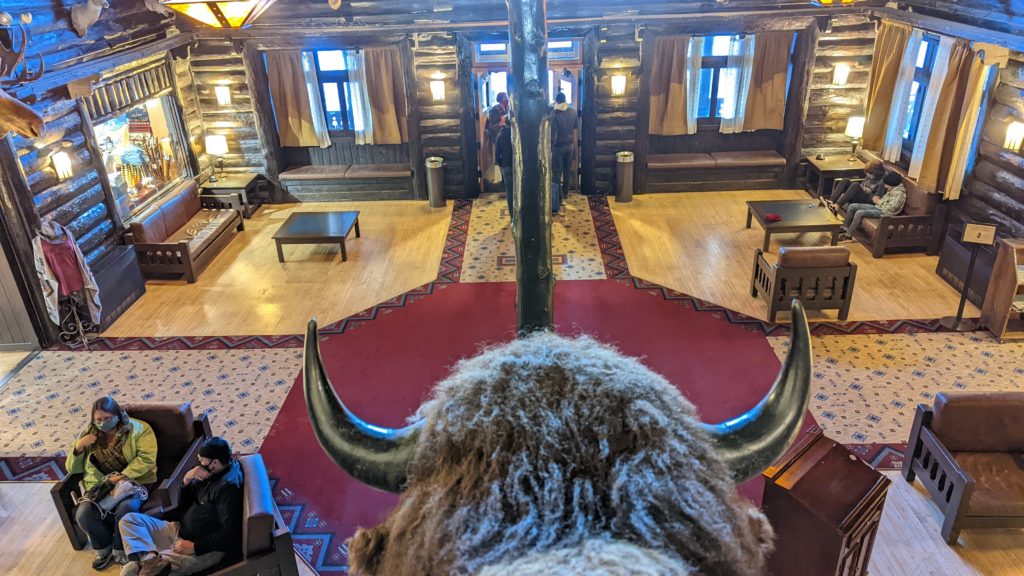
pixel 345 182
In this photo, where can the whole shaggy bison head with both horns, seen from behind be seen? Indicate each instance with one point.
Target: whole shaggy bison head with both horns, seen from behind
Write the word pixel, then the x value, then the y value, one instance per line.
pixel 548 455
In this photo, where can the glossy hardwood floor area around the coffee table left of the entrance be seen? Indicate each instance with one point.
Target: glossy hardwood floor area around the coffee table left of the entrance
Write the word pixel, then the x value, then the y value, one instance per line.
pixel 246 292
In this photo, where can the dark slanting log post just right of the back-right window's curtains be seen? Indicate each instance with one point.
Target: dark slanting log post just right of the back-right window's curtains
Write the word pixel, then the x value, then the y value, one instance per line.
pixel 799 100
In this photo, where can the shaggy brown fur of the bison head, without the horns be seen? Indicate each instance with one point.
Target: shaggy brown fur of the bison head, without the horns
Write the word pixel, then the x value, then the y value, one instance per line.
pixel 546 443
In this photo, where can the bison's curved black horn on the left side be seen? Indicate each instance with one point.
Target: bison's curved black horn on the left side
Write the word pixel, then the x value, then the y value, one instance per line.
pixel 374 456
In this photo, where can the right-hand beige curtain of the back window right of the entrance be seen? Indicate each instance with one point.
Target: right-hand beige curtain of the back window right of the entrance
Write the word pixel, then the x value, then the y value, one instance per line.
pixel 766 99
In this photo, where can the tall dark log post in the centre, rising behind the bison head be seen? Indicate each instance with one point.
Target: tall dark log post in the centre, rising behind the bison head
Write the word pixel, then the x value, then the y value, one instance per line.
pixel 532 142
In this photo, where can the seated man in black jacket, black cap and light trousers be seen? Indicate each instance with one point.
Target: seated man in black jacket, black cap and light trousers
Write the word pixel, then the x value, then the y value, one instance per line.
pixel 210 526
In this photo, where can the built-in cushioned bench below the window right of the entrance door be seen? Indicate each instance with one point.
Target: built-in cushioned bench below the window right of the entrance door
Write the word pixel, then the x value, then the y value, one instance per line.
pixel 714 172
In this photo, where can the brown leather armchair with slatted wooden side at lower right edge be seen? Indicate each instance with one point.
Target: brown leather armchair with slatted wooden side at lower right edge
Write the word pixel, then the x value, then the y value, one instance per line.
pixel 968 451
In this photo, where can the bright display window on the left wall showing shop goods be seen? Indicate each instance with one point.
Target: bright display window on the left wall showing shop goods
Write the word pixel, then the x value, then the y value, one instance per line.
pixel 144 154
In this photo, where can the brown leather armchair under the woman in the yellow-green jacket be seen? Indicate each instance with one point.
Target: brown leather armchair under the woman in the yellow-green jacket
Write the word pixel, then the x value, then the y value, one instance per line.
pixel 180 436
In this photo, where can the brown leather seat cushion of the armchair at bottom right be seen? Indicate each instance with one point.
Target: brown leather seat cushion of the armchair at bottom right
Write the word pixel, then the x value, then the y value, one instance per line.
pixel 999 480
